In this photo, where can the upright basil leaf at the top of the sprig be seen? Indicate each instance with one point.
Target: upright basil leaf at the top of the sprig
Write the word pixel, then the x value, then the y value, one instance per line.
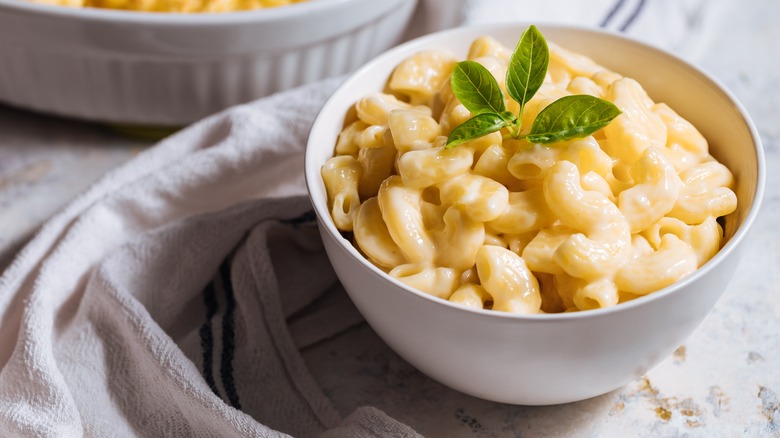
pixel 527 67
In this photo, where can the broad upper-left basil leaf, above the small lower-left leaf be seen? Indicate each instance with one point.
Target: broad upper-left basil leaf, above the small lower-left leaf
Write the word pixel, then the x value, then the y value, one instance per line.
pixel 476 88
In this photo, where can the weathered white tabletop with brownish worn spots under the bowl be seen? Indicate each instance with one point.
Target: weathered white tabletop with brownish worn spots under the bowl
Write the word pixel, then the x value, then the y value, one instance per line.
pixel 724 381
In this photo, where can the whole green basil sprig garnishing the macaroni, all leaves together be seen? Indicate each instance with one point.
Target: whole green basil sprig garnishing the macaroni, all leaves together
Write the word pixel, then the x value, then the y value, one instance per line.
pixel 567 118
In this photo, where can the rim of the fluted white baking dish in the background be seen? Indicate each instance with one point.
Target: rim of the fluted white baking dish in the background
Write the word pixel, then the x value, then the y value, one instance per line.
pixel 254 16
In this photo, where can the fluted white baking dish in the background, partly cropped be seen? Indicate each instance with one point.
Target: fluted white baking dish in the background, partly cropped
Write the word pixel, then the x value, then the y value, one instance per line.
pixel 172 69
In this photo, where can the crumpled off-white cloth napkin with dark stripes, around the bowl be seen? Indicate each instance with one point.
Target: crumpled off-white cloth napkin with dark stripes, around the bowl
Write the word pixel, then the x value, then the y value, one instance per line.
pixel 172 298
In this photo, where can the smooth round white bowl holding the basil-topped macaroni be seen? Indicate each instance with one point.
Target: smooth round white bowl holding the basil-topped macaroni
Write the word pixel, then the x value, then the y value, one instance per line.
pixel 548 358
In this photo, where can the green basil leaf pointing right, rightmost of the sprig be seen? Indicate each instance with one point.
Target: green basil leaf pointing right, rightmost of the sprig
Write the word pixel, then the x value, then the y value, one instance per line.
pixel 572 117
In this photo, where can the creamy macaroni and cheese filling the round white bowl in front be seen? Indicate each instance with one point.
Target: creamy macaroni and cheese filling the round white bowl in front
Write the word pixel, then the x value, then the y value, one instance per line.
pixel 510 225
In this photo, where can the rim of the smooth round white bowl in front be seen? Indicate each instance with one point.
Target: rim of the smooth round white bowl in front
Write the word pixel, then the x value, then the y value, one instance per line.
pixel 312 175
